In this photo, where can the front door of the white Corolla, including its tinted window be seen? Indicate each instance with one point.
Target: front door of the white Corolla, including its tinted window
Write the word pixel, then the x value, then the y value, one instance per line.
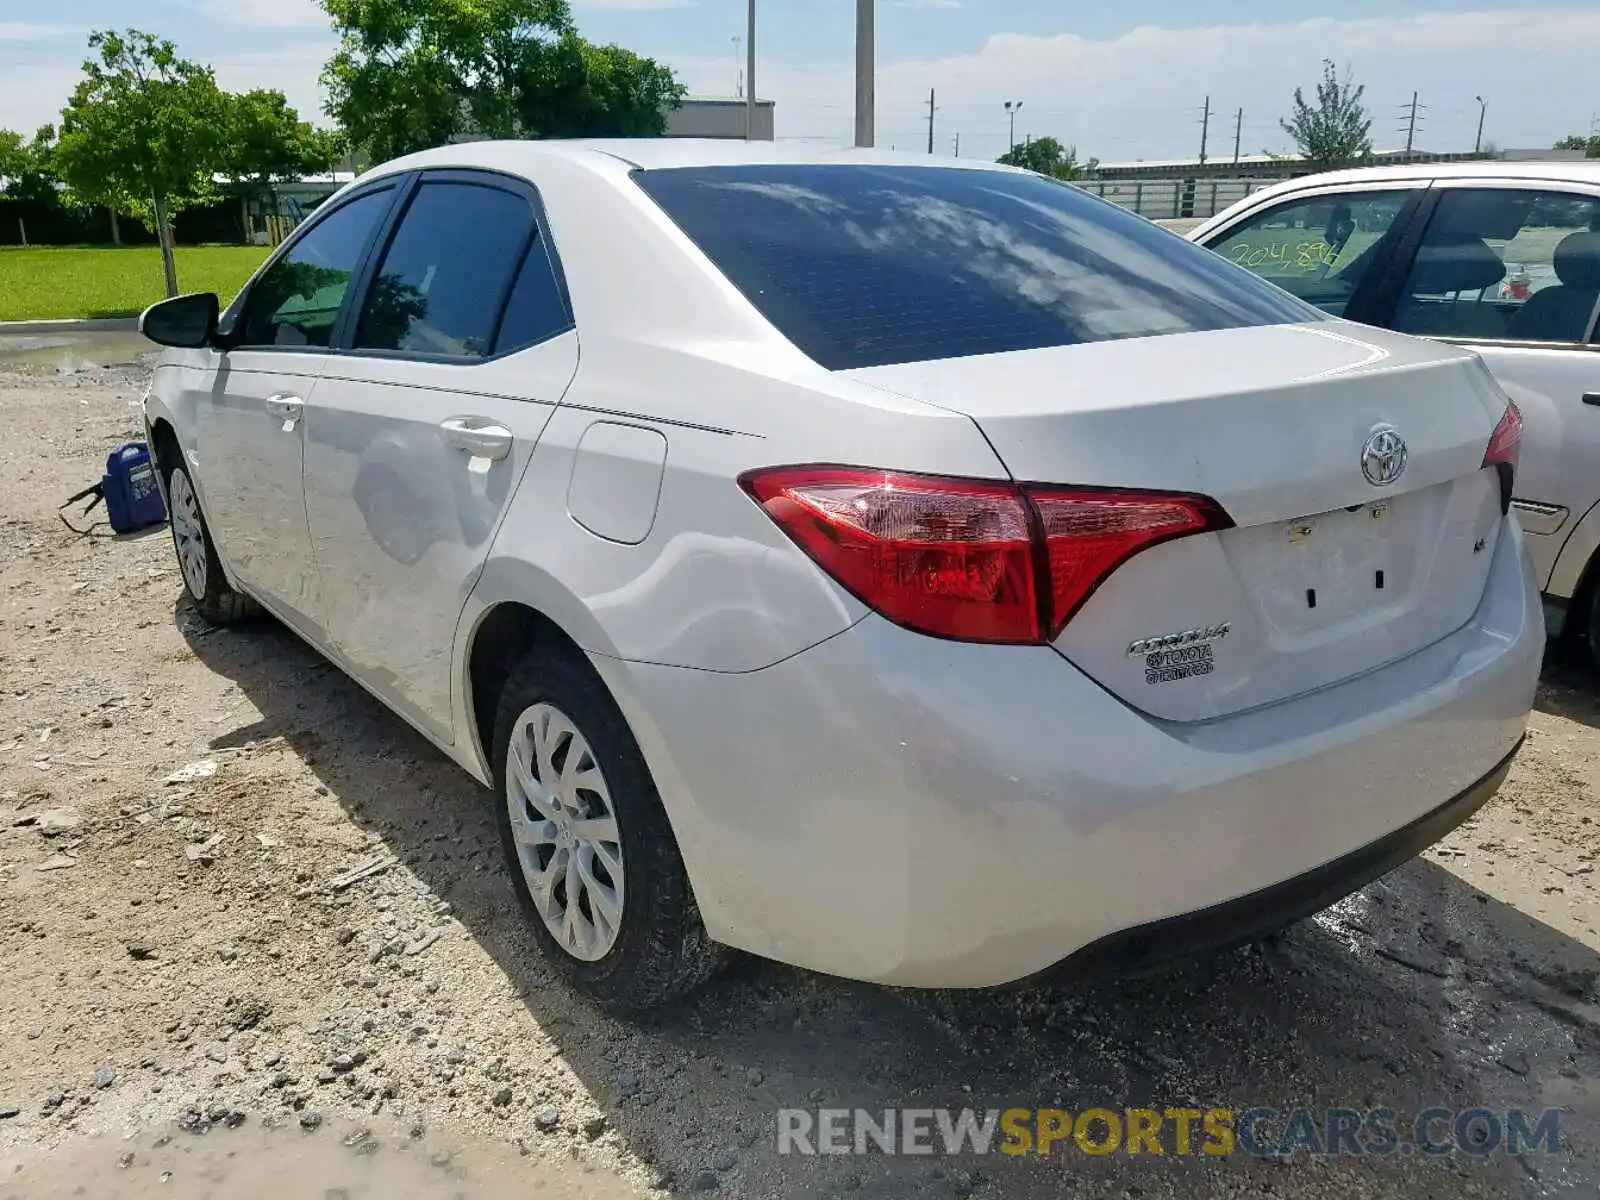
pixel 250 423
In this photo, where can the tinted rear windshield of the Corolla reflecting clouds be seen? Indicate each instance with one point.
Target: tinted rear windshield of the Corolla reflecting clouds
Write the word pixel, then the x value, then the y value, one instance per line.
pixel 866 266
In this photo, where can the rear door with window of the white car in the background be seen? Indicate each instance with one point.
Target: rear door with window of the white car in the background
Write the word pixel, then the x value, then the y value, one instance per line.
pixel 1513 271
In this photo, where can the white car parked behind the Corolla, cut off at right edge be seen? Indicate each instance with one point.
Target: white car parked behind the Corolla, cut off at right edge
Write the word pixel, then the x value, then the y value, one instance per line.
pixel 1503 258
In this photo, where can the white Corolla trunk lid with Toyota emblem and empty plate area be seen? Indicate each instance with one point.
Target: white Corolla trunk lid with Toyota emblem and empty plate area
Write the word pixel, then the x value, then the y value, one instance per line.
pixel 1326 574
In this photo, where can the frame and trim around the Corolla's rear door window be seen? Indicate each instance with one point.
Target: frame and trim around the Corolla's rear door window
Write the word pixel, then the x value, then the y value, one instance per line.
pixel 538 238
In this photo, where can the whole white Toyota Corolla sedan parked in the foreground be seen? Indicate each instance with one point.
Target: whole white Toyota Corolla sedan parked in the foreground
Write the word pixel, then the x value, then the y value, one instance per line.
pixel 911 570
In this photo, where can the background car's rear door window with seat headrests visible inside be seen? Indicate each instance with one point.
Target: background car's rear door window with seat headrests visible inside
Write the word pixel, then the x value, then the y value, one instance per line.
pixel 1506 265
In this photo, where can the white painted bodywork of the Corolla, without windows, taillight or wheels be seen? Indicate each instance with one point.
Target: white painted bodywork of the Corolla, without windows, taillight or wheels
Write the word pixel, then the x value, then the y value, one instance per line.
pixel 849 794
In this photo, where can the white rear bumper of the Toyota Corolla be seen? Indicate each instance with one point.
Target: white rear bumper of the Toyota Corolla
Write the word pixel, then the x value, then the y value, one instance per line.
pixel 916 812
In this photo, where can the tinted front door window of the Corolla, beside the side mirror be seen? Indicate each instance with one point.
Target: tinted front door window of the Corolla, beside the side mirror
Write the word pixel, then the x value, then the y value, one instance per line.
pixel 297 302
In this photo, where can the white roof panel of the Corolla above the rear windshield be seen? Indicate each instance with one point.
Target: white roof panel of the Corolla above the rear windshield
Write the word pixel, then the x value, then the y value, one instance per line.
pixel 655 154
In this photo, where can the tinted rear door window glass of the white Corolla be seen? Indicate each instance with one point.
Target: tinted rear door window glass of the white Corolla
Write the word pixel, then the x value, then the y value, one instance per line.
pixel 444 279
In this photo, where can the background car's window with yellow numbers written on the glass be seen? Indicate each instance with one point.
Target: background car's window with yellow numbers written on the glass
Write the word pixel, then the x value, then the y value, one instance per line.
pixel 1322 249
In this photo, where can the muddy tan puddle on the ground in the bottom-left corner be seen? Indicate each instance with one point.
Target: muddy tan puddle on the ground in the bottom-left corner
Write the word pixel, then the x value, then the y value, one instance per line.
pixel 335 1162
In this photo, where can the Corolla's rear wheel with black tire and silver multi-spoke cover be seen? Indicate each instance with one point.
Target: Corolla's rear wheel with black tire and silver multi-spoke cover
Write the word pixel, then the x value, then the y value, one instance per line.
pixel 634 938
